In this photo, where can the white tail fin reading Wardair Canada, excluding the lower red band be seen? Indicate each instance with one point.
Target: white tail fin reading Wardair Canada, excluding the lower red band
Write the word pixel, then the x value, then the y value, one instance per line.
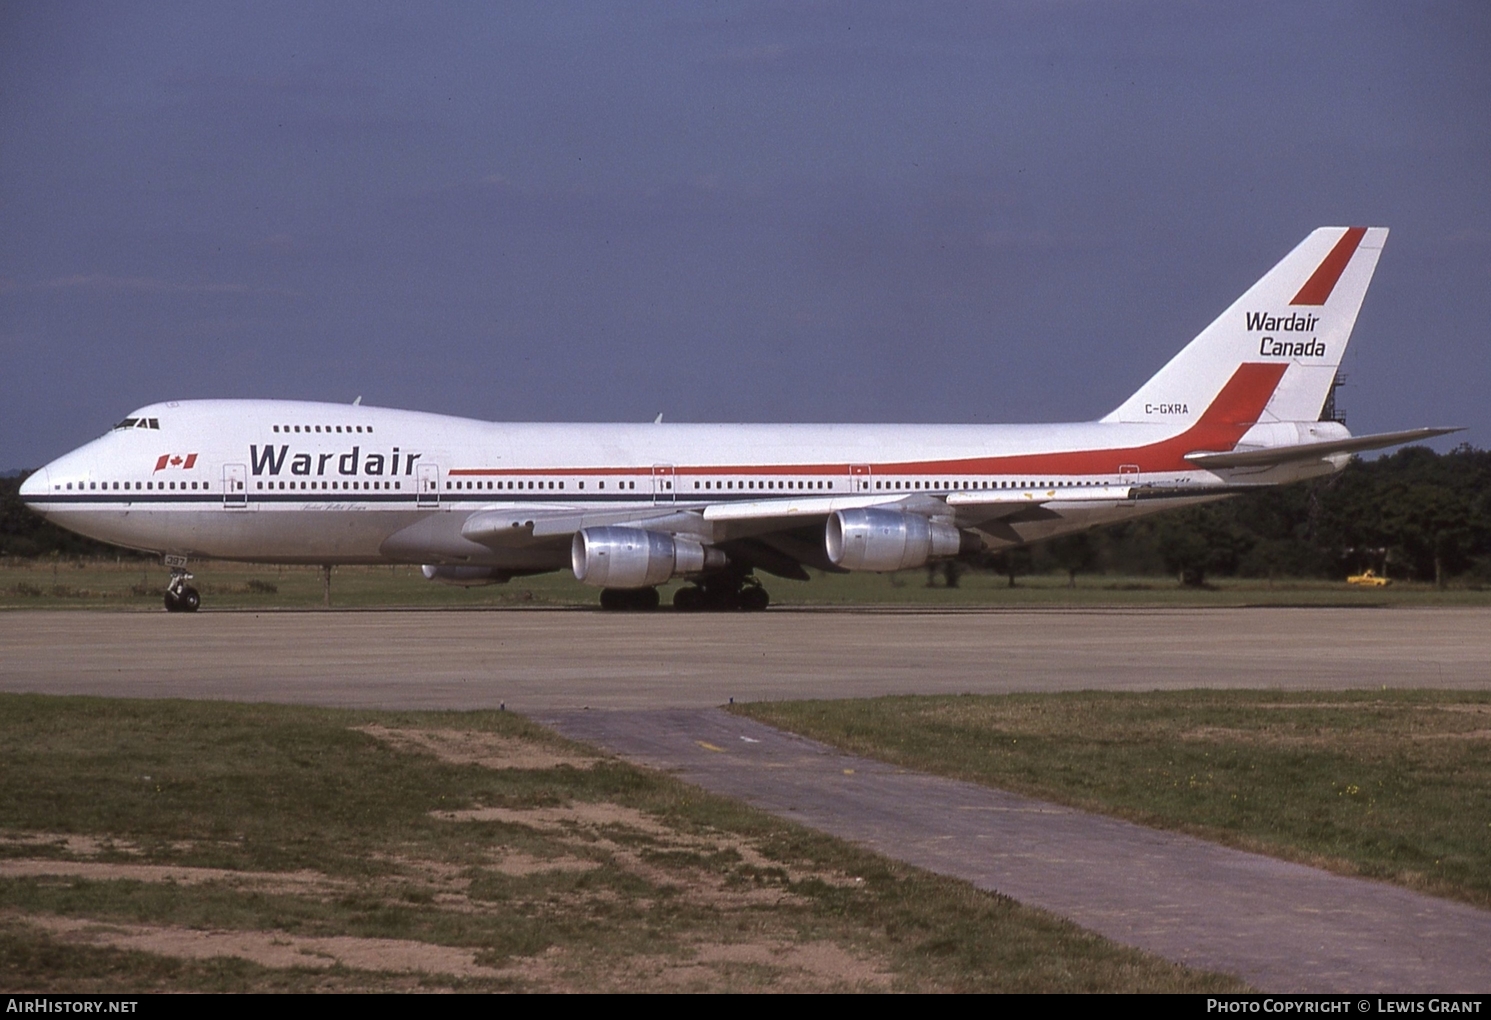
pixel 1301 315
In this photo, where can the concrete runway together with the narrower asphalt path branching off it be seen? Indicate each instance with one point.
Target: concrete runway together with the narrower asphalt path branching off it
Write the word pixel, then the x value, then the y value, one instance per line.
pixel 1284 927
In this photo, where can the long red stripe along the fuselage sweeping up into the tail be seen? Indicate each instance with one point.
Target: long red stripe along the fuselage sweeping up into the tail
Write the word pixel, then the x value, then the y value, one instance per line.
pixel 1232 414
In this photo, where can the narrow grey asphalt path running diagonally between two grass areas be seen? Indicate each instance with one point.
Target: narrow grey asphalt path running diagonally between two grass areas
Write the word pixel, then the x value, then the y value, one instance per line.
pixel 1282 927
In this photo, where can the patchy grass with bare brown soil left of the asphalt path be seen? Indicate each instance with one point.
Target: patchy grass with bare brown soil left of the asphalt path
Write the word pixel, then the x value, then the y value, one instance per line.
pixel 207 846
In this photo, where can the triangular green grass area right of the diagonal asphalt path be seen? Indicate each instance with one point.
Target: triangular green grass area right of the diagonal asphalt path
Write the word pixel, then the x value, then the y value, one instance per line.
pixel 1384 784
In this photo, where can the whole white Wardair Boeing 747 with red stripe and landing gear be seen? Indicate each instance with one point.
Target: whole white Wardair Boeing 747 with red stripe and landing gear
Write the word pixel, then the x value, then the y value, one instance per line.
pixel 628 508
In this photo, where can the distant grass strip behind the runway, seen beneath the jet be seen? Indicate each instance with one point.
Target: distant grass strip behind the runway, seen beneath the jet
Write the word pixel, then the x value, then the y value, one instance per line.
pixel 139 587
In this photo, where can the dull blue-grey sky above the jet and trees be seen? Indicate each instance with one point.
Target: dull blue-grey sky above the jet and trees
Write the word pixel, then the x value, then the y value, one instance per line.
pixel 722 212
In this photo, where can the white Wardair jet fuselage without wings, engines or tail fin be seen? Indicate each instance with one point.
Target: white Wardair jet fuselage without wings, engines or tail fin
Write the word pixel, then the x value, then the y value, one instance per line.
pixel 335 484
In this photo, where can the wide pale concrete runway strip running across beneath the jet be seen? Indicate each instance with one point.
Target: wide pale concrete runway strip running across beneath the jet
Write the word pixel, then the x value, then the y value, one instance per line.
pixel 555 660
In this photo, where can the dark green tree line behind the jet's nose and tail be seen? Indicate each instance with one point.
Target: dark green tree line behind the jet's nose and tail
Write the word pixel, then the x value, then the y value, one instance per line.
pixel 1414 515
